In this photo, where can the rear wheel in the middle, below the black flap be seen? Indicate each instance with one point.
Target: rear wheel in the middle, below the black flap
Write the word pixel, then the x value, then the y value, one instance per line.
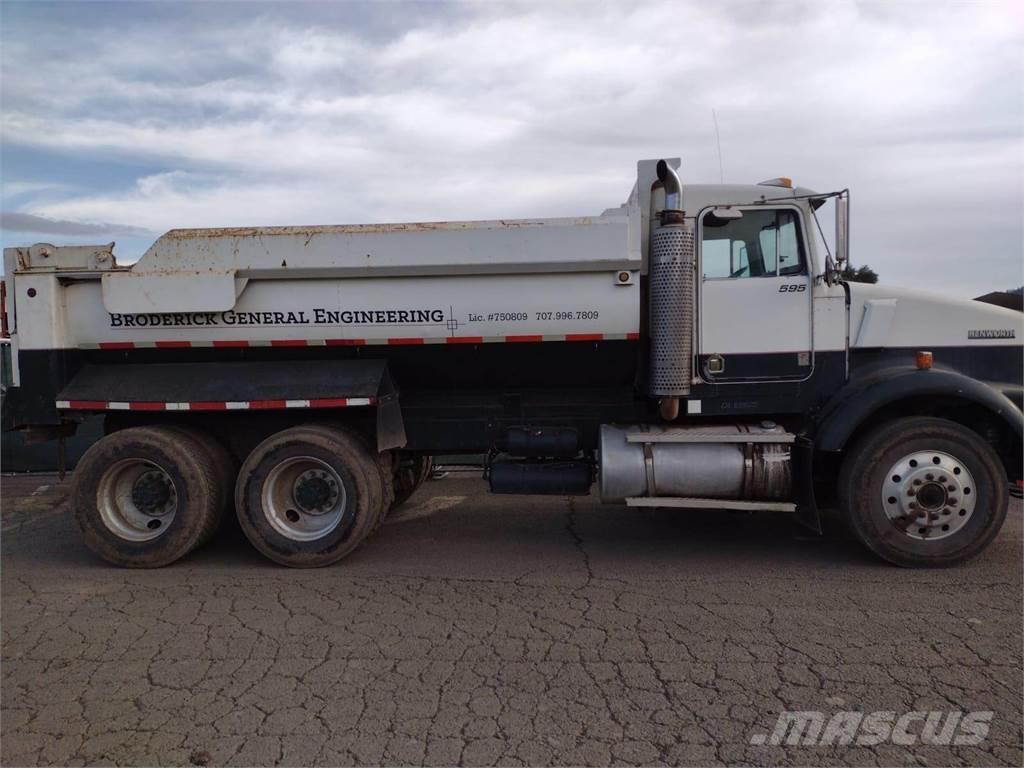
pixel 344 496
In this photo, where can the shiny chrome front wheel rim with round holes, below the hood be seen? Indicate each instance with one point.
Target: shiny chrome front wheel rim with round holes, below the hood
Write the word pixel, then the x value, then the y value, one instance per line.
pixel 929 495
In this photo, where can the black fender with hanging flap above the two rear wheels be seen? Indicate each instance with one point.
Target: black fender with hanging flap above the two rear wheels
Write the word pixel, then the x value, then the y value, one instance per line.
pixel 247 381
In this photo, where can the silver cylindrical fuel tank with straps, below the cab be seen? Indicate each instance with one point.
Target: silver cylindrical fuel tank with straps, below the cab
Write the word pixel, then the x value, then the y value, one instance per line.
pixel 717 462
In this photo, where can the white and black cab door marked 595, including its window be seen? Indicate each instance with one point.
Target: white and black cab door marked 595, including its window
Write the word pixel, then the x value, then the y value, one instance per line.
pixel 755 296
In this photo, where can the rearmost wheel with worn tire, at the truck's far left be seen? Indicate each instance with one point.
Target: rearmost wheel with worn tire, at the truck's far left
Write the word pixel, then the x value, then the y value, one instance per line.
pixel 146 497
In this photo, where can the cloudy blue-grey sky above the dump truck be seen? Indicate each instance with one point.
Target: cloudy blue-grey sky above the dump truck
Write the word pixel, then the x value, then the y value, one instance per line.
pixel 121 121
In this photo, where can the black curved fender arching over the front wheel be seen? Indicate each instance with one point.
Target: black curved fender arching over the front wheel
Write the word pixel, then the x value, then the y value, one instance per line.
pixel 861 398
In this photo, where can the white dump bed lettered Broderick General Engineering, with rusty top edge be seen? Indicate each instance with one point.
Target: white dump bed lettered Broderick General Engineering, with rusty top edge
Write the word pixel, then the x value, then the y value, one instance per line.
pixel 426 283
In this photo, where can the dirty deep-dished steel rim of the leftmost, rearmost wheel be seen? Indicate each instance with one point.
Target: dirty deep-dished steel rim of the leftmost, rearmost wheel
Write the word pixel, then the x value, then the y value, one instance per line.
pixel 137 500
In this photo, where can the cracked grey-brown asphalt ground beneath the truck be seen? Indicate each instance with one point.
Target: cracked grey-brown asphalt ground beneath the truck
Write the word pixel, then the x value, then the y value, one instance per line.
pixel 484 630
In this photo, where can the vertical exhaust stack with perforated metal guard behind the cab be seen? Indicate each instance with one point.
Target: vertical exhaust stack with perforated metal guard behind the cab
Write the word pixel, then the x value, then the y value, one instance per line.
pixel 671 278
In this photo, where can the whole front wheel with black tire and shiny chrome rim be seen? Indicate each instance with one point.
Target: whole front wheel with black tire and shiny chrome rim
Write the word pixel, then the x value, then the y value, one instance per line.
pixel 924 493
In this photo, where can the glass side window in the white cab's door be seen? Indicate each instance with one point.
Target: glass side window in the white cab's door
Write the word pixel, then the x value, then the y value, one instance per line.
pixel 760 244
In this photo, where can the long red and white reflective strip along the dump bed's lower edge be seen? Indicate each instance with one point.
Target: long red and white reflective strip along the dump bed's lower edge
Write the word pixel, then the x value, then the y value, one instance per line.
pixel 391 342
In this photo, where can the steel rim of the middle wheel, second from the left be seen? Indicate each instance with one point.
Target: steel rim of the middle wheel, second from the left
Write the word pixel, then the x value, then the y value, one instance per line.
pixel 305 499
